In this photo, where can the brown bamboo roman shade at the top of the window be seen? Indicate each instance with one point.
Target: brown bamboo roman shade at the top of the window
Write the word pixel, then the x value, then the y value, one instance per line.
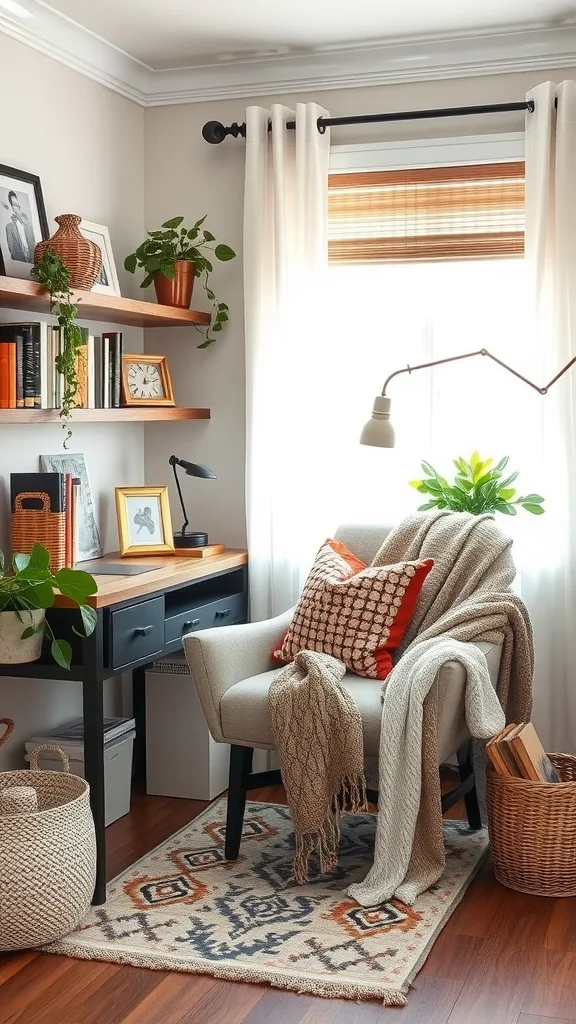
pixel 430 214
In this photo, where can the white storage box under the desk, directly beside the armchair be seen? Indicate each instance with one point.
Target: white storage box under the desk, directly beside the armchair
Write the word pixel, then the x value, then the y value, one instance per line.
pixel 183 760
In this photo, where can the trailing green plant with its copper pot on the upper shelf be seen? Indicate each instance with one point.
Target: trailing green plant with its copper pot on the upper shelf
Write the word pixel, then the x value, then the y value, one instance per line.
pixel 173 258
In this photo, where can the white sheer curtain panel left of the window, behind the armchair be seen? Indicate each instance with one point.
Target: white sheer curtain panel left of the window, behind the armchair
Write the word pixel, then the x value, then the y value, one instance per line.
pixel 285 260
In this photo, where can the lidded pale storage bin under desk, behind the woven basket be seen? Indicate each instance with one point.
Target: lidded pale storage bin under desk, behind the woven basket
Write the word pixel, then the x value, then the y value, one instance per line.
pixel 117 770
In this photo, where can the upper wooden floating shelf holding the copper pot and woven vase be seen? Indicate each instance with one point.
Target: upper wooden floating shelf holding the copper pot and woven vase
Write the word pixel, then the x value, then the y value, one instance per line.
pixel 16 294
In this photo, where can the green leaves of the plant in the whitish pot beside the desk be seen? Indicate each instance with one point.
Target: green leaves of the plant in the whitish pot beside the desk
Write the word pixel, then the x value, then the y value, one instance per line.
pixel 30 585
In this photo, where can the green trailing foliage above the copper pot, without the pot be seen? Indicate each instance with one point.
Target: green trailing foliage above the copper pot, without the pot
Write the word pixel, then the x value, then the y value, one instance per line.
pixel 195 245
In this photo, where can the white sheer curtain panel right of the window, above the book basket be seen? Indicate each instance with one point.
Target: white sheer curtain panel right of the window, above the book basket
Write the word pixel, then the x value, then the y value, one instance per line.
pixel 549 574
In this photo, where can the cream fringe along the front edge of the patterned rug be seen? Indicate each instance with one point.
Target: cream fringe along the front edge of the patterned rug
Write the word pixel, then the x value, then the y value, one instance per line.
pixel 330 989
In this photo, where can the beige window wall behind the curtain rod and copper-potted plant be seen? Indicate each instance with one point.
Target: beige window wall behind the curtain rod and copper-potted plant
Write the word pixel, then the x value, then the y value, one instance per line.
pixel 185 176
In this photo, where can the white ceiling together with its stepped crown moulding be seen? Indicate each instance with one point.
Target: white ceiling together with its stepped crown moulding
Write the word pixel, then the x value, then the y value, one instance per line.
pixel 175 52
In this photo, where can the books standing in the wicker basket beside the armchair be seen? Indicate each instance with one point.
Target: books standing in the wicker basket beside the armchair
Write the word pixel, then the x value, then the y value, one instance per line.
pixel 517 752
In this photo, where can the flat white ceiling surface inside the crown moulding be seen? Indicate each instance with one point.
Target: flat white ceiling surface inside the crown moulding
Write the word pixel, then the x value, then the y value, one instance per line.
pixel 183 34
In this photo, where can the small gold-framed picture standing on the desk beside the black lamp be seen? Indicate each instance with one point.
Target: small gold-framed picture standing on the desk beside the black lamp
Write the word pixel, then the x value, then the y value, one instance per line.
pixel 145 527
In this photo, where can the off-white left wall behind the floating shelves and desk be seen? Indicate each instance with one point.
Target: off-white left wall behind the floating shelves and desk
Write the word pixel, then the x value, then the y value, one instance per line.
pixel 87 145
